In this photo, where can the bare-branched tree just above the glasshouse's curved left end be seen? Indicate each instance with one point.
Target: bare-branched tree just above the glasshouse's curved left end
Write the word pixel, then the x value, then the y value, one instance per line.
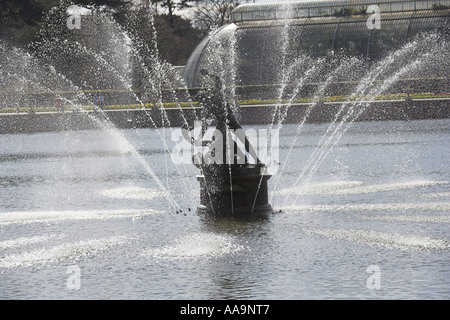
pixel 209 14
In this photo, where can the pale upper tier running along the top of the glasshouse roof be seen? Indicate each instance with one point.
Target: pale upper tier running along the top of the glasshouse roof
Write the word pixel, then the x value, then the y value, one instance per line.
pixel 320 8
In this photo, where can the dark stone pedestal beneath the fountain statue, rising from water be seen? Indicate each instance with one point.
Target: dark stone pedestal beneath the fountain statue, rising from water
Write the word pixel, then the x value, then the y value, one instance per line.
pixel 243 192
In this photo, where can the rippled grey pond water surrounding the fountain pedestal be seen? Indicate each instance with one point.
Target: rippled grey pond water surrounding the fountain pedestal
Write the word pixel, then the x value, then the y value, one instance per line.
pixel 381 197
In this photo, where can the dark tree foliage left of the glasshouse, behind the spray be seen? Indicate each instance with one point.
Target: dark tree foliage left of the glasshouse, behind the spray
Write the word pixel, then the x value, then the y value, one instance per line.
pixel 30 23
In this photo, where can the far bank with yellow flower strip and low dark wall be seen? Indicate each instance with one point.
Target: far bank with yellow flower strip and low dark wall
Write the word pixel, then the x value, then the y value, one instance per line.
pixel 256 114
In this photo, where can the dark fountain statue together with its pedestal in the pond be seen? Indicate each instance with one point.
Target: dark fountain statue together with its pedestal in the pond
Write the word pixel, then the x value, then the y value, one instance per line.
pixel 229 186
